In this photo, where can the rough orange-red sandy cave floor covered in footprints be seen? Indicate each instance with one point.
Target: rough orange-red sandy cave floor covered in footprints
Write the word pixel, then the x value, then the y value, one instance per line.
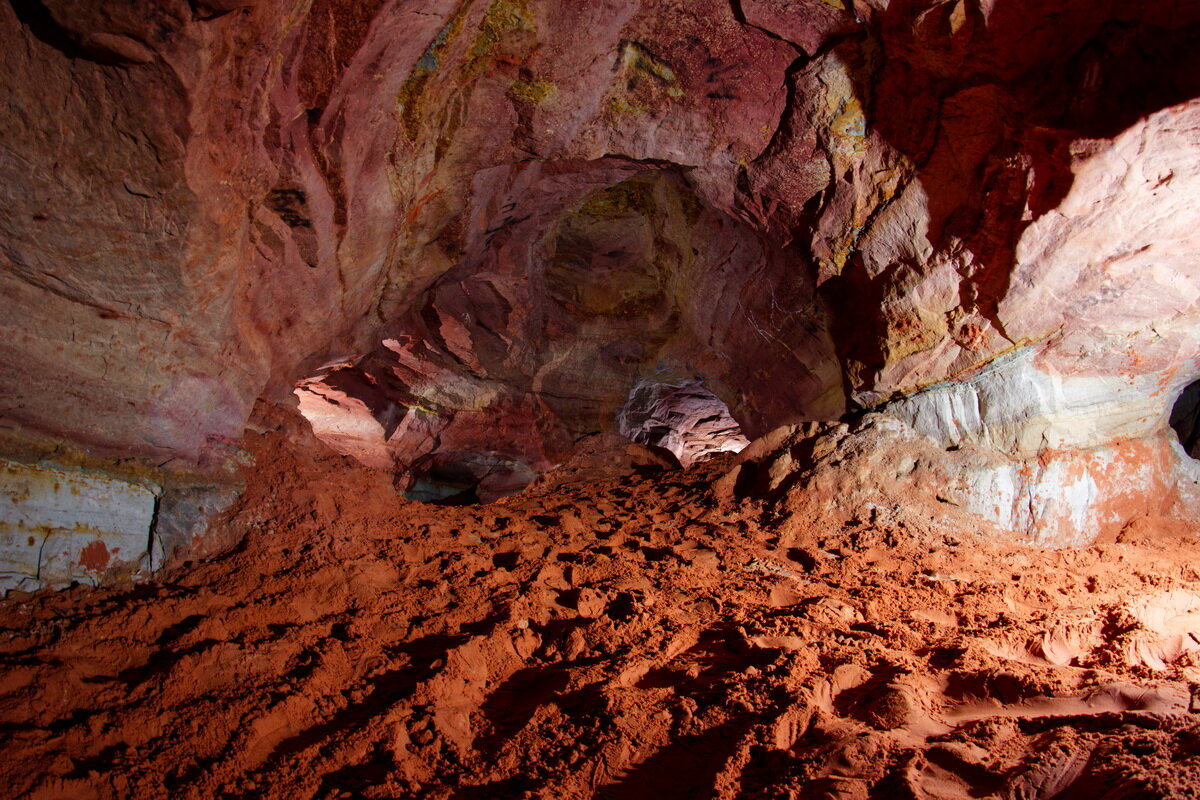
pixel 631 637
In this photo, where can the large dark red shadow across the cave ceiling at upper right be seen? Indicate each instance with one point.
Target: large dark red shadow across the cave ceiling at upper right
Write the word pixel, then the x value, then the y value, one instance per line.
pixel 988 109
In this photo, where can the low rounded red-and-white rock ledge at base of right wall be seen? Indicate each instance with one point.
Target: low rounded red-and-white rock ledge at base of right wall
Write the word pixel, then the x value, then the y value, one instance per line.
pixel 879 468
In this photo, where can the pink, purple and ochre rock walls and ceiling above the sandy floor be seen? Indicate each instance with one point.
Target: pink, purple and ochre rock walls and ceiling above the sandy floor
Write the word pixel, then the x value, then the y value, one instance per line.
pixel 475 227
